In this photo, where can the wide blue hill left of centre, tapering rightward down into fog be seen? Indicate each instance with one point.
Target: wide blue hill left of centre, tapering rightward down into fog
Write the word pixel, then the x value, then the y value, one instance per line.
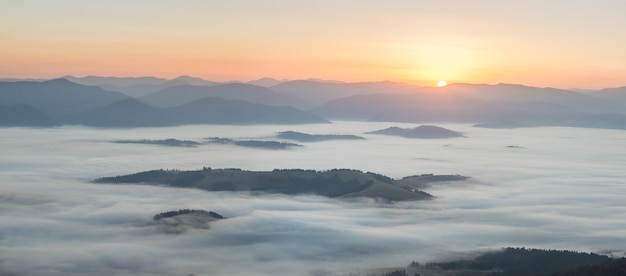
pixel 212 110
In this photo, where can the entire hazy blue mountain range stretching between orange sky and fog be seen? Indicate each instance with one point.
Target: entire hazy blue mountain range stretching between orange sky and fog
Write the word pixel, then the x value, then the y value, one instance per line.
pixel 142 102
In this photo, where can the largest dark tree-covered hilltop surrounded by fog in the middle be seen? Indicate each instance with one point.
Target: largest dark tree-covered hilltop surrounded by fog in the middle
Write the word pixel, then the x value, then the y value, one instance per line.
pixel 335 183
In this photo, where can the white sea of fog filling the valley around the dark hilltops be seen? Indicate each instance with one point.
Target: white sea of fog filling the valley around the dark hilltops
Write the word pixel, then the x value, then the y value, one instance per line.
pixel 556 188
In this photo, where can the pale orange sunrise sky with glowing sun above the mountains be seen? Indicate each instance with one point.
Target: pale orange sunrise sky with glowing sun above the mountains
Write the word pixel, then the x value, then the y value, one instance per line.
pixel 558 43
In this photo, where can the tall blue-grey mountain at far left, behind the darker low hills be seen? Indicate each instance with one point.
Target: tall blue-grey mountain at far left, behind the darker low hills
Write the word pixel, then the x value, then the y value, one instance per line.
pixel 58 97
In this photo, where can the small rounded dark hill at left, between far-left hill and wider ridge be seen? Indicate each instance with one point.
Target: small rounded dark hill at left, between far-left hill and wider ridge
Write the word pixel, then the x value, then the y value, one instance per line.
pixel 124 113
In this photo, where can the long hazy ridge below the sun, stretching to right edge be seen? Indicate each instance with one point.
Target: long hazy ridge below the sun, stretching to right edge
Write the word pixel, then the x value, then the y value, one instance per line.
pixel 458 106
